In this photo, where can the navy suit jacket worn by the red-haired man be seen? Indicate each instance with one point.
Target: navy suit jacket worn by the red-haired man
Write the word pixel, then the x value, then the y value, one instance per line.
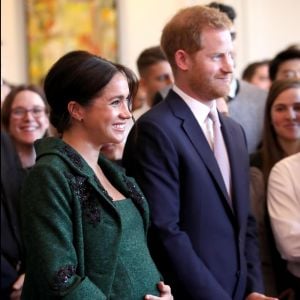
pixel 203 247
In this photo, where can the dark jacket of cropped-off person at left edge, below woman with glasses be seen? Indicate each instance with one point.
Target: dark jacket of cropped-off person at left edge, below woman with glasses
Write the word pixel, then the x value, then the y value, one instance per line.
pixel 11 248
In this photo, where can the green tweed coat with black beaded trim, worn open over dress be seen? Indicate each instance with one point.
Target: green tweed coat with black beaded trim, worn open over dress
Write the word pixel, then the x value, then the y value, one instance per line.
pixel 70 226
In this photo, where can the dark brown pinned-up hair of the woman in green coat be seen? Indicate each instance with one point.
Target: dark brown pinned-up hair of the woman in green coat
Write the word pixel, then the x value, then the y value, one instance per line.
pixel 80 76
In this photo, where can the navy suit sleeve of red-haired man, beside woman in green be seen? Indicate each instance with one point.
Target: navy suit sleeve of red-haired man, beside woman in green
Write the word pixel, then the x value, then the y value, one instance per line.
pixel 150 156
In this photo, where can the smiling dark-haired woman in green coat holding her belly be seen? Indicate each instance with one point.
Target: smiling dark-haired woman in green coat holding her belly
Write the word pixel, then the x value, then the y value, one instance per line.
pixel 84 223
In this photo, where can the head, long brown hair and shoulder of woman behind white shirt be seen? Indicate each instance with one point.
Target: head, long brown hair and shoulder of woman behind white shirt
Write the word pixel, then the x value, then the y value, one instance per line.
pixel 281 134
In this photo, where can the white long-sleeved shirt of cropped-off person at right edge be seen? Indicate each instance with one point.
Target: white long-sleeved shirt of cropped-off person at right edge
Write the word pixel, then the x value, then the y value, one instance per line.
pixel 284 209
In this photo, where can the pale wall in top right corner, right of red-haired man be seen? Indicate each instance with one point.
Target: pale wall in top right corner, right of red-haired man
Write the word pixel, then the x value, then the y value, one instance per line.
pixel 270 26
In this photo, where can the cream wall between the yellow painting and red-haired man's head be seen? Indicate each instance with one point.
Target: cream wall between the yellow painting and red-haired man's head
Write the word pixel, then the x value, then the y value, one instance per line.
pixel 141 24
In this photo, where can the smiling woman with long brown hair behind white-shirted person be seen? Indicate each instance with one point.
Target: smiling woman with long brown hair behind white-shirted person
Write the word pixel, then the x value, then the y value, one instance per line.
pixel 281 138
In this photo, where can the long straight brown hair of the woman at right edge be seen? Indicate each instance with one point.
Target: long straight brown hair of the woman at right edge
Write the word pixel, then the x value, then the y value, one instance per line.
pixel 272 151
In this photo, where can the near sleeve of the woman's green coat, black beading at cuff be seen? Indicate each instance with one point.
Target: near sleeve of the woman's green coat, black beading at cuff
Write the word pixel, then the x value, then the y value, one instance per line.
pixel 48 232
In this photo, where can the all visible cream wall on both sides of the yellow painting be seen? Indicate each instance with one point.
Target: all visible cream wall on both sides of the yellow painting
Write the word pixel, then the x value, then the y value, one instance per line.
pixel 264 28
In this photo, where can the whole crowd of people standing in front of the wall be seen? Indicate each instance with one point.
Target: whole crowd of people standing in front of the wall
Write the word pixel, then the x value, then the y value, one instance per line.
pixel 180 184
